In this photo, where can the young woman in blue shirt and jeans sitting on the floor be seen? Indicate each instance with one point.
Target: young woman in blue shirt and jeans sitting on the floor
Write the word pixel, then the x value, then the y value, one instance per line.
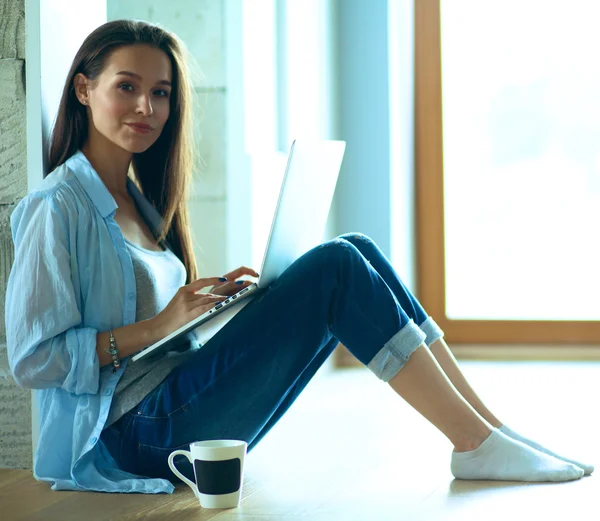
pixel 104 267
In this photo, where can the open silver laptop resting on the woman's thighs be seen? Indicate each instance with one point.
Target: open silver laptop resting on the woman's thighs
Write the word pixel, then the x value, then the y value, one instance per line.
pixel 298 225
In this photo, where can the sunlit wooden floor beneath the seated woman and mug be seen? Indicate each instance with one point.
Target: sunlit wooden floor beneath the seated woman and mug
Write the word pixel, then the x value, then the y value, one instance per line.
pixel 349 449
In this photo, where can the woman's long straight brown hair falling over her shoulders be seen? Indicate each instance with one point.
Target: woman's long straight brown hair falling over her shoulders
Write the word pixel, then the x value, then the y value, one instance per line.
pixel 164 171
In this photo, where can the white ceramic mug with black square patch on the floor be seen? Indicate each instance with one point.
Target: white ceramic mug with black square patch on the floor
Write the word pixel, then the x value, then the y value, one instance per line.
pixel 219 470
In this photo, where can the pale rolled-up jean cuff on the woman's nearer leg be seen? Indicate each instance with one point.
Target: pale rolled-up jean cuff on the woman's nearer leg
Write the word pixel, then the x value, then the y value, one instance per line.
pixel 393 355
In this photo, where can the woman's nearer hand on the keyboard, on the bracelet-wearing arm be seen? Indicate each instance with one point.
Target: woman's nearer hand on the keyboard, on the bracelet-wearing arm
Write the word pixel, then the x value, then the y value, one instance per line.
pixel 185 306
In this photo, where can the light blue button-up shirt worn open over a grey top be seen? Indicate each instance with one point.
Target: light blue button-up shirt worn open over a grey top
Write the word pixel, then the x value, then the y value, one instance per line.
pixel 72 278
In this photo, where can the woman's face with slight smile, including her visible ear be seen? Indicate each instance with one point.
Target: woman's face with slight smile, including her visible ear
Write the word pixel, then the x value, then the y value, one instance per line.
pixel 128 103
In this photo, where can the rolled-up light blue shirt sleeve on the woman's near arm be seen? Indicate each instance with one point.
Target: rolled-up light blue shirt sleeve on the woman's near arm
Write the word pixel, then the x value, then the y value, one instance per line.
pixel 46 341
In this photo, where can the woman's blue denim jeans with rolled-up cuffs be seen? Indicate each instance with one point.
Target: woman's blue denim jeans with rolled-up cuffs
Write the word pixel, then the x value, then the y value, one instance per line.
pixel 246 377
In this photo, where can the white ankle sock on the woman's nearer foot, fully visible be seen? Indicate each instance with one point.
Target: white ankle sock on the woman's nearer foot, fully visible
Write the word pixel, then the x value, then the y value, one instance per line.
pixel 501 458
